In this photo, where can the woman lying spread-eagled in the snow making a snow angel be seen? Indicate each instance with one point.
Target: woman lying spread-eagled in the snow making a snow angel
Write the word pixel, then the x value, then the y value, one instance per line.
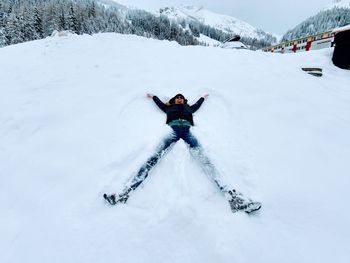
pixel 180 119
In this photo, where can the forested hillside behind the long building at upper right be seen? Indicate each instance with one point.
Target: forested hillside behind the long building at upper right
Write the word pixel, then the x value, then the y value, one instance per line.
pixel 335 16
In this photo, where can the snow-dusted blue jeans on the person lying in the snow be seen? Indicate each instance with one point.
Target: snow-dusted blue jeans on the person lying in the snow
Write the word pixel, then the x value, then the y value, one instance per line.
pixel 195 150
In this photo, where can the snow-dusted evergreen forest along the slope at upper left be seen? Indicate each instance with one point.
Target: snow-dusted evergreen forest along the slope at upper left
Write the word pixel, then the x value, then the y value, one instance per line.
pixel 22 21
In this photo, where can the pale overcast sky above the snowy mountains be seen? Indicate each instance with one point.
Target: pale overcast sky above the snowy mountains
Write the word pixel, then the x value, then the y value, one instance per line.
pixel 270 15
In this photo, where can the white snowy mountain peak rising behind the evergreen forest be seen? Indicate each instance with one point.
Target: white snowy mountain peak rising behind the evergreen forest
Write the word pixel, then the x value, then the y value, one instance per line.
pixel 225 23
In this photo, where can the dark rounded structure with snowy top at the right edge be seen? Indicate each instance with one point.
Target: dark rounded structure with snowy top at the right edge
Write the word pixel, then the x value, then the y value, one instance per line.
pixel 341 54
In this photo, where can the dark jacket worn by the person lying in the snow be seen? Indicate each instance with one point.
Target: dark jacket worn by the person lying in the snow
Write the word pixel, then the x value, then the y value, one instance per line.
pixel 178 111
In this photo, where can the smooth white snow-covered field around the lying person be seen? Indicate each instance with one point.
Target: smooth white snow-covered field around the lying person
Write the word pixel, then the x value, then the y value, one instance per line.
pixel 75 123
